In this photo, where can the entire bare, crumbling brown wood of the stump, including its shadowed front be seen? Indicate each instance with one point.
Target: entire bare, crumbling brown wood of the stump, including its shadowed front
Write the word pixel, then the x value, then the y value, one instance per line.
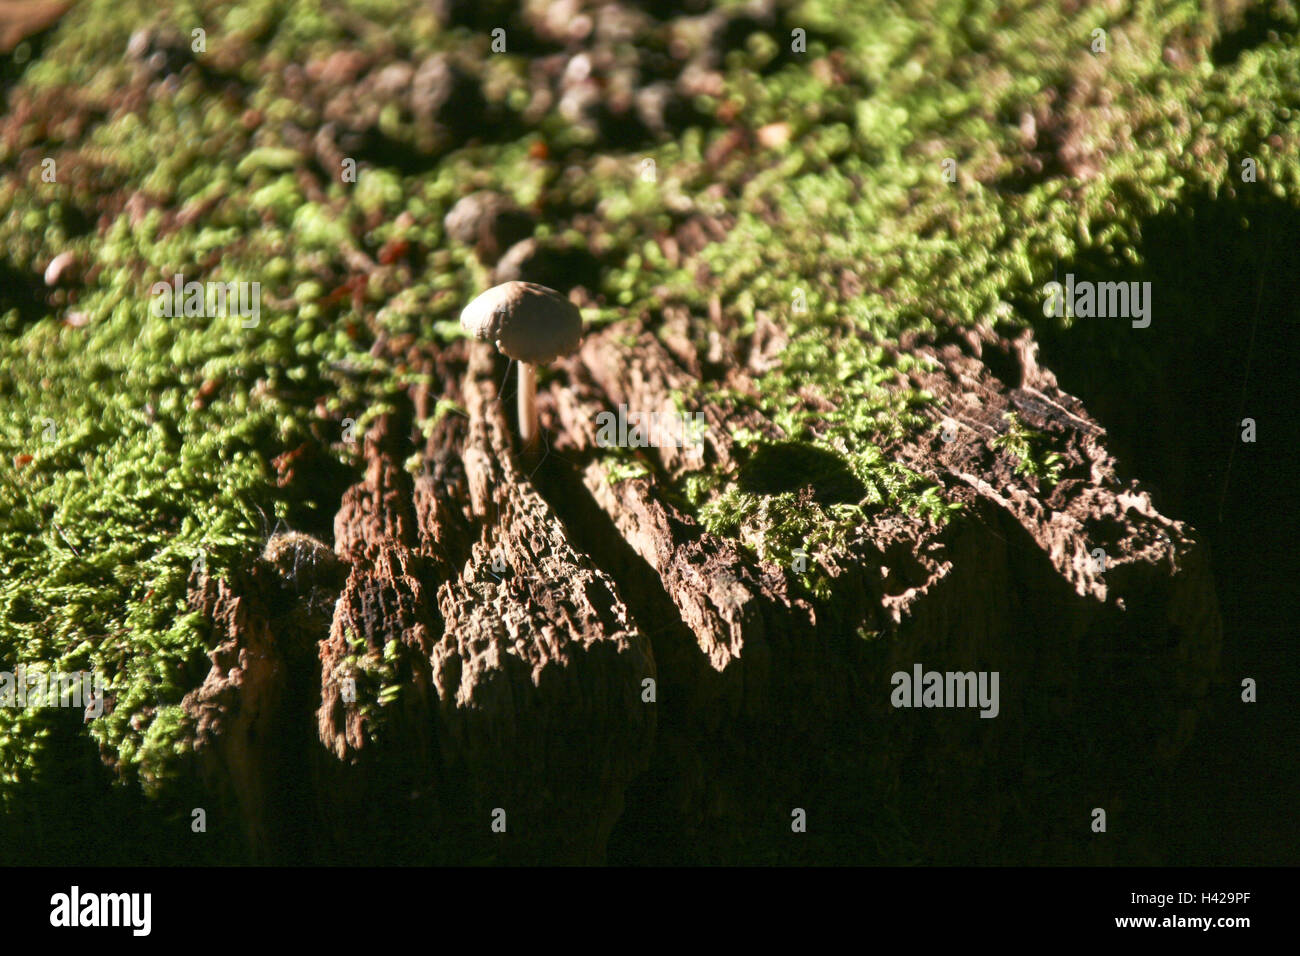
pixel 512 621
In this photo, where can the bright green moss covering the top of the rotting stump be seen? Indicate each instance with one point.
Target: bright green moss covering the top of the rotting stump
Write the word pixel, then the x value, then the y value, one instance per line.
pixel 132 444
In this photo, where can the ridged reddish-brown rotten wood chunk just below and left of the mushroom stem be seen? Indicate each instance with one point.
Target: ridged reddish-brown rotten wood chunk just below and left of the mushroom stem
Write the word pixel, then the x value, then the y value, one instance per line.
pixel 522 669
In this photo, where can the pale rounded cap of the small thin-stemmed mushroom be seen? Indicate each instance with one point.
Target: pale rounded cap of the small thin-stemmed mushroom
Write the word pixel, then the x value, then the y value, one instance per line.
pixel 527 322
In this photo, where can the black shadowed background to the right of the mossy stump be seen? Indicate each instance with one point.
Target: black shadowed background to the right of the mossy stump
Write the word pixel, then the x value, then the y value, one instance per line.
pixel 1223 347
